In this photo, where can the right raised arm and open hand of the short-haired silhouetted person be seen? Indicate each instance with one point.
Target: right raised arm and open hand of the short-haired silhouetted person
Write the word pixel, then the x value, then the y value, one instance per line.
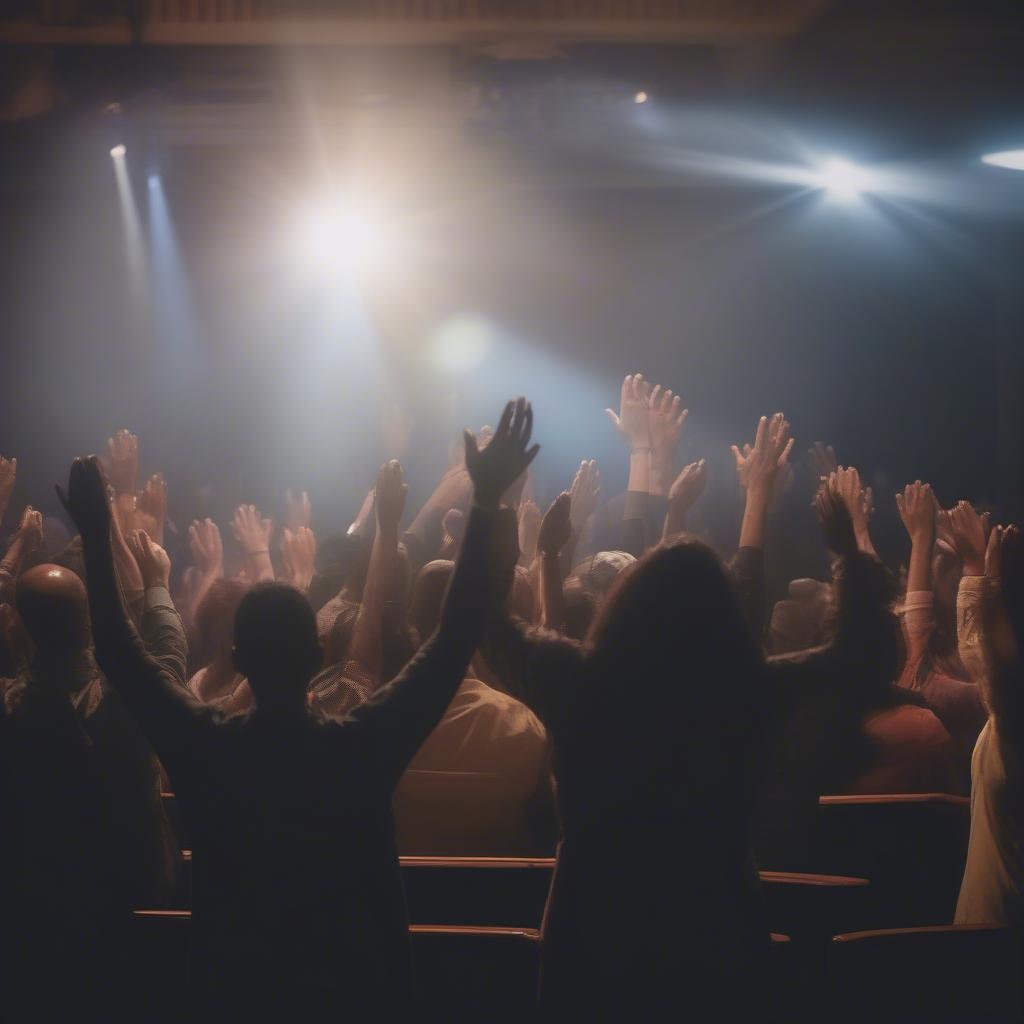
pixel 402 715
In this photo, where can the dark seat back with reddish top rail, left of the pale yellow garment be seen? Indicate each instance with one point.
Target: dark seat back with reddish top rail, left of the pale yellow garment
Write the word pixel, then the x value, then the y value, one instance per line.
pixel 912 846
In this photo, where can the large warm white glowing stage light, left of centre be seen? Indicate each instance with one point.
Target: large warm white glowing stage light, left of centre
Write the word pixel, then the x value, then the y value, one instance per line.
pixel 342 237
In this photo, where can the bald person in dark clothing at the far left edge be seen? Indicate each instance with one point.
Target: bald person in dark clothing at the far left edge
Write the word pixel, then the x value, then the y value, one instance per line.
pixel 84 835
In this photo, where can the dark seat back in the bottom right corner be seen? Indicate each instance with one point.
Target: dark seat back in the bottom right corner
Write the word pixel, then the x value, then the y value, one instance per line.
pixel 951 973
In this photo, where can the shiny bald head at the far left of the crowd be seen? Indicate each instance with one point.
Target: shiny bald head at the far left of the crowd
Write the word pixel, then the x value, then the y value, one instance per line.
pixel 55 610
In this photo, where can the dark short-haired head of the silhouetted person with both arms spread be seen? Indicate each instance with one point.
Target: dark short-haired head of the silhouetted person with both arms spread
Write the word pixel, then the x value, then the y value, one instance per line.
pixel 276 644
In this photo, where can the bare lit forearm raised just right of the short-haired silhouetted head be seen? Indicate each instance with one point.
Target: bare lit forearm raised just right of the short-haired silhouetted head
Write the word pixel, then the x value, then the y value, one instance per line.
pixel 366 649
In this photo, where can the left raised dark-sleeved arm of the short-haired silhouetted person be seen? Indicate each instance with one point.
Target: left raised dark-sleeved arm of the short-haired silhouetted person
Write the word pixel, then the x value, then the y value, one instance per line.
pixel 167 713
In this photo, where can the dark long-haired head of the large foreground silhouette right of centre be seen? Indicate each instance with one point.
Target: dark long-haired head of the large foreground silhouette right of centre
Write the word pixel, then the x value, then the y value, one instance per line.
pixel 672 630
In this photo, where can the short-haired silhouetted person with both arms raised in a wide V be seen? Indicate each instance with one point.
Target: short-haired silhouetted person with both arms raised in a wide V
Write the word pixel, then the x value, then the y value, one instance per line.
pixel 297 898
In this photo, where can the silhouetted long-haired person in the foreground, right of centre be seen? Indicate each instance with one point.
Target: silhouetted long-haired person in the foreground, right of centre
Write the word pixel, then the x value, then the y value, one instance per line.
pixel 656 902
